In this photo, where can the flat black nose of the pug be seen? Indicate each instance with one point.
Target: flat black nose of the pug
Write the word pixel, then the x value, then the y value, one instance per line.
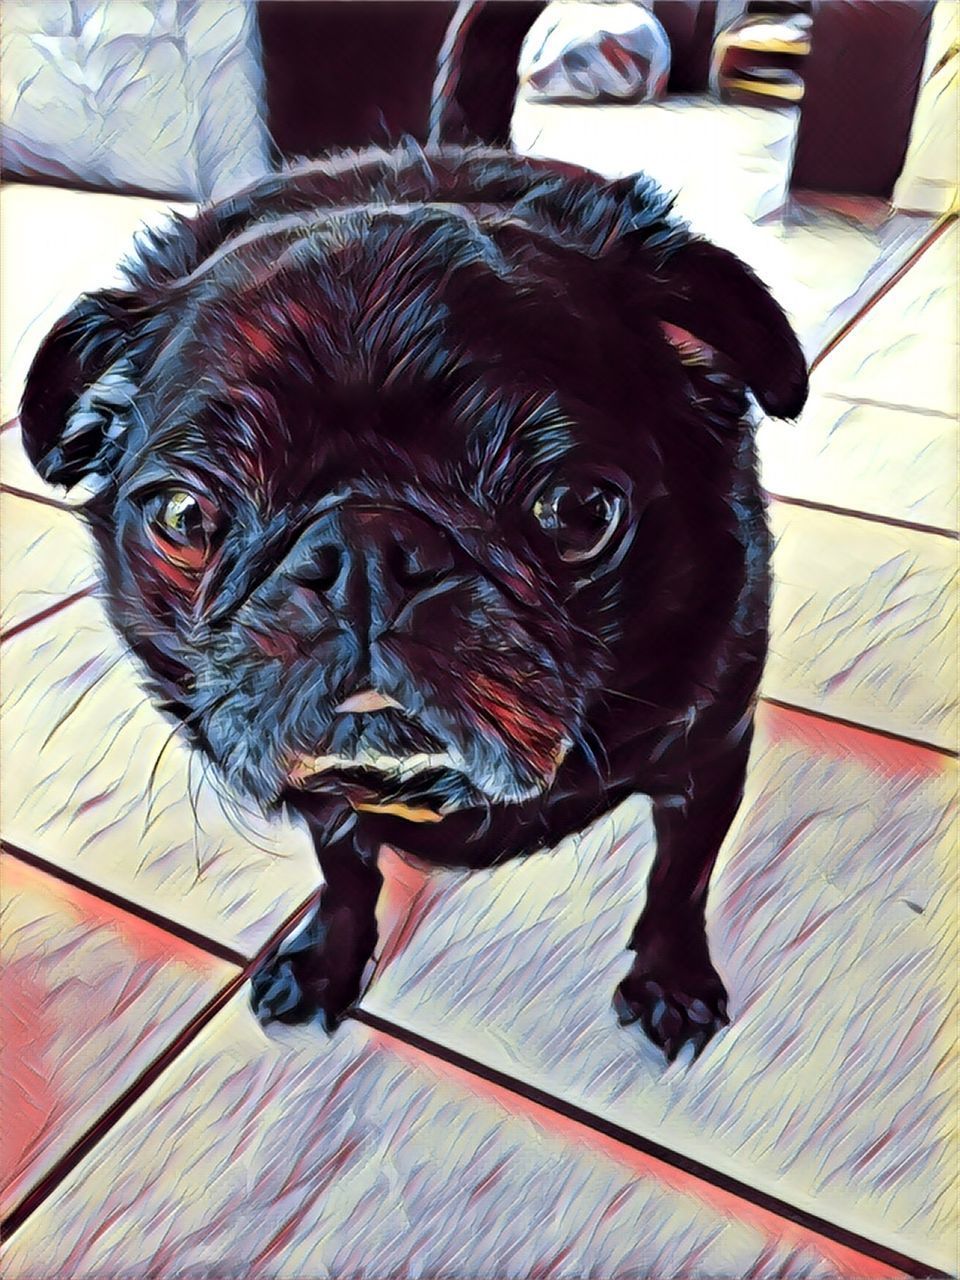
pixel 374 559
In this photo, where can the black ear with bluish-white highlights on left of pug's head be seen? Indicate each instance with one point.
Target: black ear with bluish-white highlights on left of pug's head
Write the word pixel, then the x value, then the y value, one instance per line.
pixel 80 394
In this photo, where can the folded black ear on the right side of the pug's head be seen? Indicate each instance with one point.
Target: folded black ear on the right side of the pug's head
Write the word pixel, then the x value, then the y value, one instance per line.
pixel 712 295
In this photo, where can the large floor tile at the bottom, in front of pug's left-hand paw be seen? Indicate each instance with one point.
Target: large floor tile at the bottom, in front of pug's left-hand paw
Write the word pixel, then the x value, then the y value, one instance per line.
pixel 298 1156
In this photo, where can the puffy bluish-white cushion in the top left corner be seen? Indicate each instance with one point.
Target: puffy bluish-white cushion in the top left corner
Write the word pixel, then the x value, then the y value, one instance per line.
pixel 164 97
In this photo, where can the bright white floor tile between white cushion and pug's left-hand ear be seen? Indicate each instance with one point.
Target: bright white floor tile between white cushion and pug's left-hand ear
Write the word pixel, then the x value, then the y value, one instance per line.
pixel 44 273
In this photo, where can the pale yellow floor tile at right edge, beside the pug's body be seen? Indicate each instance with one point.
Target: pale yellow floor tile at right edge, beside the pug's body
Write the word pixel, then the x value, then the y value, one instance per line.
pixel 863 623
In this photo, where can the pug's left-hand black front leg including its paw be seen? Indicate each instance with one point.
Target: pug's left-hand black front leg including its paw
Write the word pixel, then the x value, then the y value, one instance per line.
pixel 321 970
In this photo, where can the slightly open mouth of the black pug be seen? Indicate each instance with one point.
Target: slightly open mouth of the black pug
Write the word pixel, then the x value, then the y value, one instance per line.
pixel 424 788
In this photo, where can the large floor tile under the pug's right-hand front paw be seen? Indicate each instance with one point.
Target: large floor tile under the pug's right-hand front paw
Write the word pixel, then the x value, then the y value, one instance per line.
pixel 833 924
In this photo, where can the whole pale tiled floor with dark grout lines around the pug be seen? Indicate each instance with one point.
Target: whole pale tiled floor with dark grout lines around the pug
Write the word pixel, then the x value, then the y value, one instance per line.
pixel 484 1117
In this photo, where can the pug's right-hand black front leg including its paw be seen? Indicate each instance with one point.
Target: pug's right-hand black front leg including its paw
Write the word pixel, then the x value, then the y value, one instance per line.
pixel 673 988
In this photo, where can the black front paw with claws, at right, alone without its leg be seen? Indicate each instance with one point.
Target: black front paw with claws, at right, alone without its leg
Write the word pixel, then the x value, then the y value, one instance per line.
pixel 684 1007
